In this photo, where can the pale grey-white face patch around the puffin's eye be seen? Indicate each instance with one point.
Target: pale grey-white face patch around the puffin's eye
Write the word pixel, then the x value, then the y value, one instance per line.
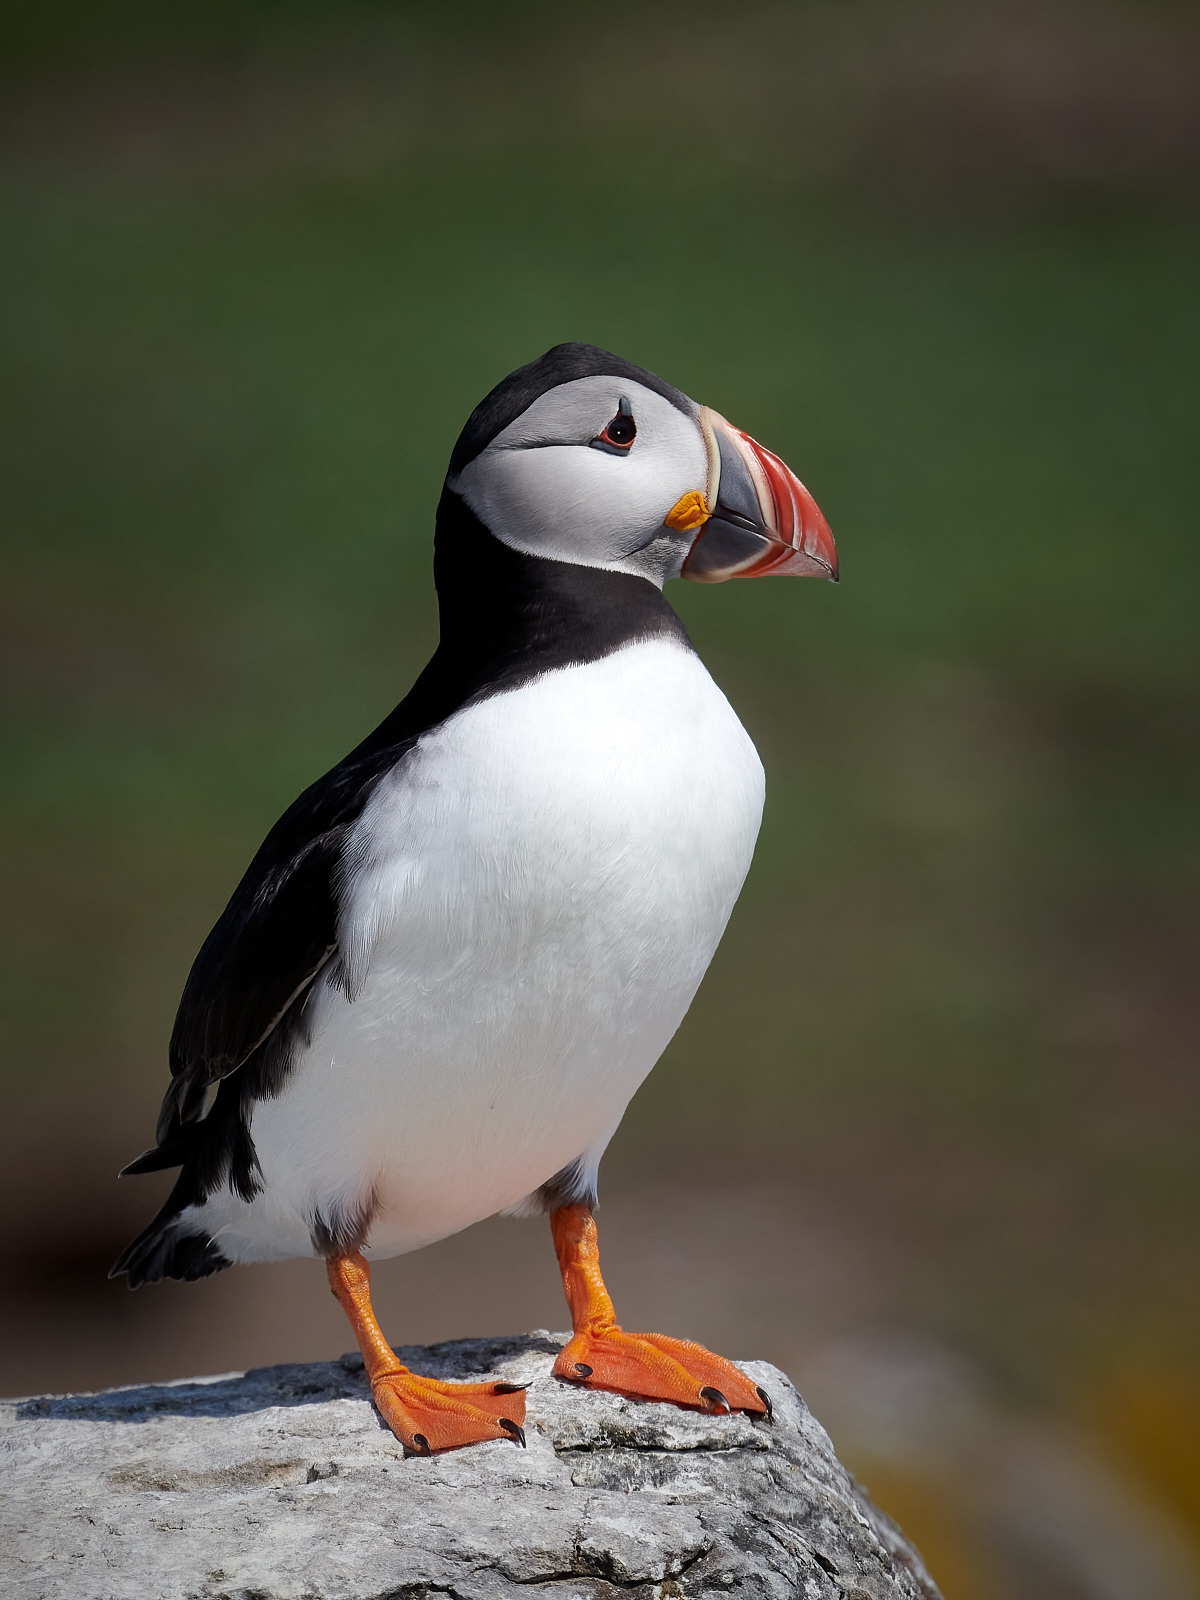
pixel 543 487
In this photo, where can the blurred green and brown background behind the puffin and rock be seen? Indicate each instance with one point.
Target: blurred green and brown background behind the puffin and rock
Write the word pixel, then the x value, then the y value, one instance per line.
pixel 940 1092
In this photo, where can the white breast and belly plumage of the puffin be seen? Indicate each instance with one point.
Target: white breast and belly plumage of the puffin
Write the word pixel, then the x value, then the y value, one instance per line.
pixel 535 897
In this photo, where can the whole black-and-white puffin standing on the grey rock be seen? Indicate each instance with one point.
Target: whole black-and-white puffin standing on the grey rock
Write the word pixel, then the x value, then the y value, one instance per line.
pixel 458 954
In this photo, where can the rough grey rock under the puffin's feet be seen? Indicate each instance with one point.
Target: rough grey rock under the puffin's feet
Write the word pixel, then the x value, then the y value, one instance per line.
pixel 284 1486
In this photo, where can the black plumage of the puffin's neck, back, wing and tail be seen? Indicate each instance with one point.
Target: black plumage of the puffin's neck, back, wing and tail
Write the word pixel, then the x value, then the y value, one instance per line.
pixel 506 618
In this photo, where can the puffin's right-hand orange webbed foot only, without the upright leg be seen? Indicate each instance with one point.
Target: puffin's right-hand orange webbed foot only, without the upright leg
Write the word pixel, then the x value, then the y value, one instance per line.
pixel 655 1367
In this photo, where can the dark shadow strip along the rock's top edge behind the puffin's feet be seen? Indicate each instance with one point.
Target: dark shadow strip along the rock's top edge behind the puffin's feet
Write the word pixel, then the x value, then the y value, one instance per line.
pixel 313 1383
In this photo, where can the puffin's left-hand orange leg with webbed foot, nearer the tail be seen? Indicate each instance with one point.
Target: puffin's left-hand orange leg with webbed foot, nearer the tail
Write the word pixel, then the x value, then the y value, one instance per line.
pixel 425 1414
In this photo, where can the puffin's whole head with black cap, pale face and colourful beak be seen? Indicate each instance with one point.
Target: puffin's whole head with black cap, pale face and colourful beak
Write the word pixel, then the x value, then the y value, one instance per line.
pixel 585 458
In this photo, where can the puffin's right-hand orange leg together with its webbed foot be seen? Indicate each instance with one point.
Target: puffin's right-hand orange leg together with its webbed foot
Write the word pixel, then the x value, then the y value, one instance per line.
pixel 642 1366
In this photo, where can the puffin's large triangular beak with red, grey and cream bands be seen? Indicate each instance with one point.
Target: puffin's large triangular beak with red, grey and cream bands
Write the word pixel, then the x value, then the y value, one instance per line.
pixel 764 522
